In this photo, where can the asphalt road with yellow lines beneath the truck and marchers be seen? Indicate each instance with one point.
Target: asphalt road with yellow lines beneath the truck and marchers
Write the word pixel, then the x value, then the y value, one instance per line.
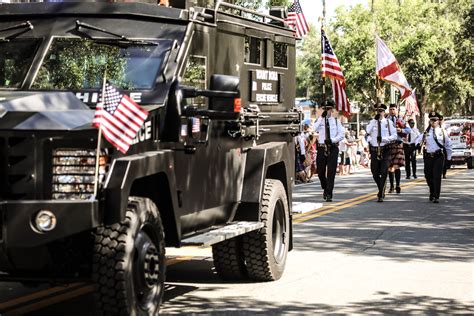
pixel 352 256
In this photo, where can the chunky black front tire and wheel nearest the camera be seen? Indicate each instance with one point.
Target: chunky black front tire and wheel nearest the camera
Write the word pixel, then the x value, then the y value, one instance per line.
pixel 129 262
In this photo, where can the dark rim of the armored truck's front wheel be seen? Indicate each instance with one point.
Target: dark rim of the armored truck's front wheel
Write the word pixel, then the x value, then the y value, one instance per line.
pixel 146 270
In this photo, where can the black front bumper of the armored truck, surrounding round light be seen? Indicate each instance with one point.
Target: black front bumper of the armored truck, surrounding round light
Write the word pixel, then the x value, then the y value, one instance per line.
pixel 16 219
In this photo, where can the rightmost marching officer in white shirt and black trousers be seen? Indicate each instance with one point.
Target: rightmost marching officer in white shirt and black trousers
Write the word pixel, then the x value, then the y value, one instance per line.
pixel 437 146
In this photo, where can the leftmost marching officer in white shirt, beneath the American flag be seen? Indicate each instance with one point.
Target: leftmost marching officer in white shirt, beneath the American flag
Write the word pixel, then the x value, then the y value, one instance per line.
pixel 331 132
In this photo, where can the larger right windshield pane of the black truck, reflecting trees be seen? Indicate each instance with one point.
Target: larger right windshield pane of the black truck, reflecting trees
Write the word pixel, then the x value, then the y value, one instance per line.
pixel 76 64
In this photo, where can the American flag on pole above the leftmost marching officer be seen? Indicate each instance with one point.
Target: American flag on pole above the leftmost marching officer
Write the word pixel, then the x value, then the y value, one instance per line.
pixel 330 68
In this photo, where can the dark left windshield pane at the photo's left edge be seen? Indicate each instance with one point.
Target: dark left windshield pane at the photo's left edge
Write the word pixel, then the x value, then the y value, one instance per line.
pixel 16 57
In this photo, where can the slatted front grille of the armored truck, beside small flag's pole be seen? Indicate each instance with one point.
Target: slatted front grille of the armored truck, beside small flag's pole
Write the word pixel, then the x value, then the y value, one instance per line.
pixel 73 172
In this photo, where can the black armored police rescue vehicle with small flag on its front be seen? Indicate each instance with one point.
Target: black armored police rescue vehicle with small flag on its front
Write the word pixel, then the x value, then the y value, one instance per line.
pixel 212 165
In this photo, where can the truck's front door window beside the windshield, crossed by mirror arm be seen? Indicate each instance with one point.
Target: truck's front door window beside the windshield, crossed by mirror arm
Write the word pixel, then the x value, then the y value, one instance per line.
pixel 195 76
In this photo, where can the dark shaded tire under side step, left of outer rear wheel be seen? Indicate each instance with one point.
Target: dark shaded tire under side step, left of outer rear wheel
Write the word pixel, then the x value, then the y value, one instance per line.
pixel 229 260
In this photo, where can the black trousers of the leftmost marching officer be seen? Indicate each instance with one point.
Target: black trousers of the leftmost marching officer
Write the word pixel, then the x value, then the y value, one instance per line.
pixel 327 166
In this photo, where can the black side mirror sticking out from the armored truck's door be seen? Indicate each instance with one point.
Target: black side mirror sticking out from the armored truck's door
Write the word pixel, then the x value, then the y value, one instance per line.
pixel 225 84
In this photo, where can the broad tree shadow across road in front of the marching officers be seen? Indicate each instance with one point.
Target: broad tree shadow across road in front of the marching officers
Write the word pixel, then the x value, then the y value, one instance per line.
pixel 405 227
